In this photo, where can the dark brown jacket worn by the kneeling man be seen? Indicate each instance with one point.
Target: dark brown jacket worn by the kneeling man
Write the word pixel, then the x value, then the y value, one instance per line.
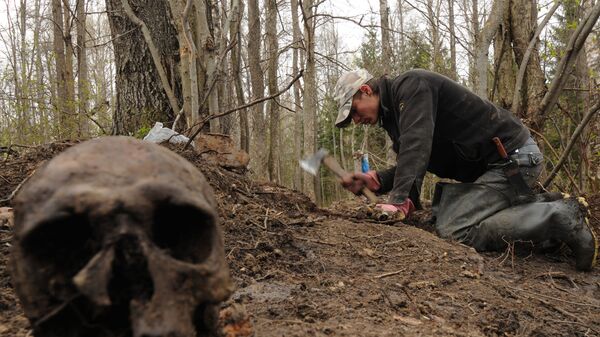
pixel 439 126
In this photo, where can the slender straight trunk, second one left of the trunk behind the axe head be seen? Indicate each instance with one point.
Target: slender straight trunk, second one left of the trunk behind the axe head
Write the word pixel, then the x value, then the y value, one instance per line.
pixel 273 58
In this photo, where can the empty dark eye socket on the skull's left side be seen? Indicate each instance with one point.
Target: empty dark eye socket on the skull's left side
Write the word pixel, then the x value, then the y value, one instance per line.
pixel 65 242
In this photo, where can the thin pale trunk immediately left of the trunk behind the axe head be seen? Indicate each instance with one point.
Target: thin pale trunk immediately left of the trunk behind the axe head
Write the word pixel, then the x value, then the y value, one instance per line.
pixel 298 125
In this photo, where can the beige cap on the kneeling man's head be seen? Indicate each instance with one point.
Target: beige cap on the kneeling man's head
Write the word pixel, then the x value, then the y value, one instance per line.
pixel 345 88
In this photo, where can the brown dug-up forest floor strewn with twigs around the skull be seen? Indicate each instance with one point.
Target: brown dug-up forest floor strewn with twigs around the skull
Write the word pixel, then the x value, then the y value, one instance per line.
pixel 304 271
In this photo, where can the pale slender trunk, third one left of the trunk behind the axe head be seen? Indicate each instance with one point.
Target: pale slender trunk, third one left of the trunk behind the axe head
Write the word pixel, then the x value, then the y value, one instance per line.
pixel 258 138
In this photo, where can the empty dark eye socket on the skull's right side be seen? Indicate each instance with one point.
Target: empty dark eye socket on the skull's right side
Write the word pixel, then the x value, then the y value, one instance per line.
pixel 184 231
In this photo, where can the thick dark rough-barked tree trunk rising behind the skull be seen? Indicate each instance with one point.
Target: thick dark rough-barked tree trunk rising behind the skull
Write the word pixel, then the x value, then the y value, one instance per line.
pixel 141 99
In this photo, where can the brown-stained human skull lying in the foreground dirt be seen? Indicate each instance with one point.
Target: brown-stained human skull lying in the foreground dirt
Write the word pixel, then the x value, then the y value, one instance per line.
pixel 119 237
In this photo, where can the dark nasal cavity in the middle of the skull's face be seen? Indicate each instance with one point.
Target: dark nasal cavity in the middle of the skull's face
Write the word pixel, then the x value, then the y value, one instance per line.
pixel 130 276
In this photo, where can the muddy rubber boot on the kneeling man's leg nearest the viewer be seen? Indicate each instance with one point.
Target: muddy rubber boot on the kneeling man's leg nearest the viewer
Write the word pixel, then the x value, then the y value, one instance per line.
pixel 561 220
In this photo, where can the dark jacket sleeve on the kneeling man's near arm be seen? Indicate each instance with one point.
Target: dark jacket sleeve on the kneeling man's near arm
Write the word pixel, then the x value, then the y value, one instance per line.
pixel 417 108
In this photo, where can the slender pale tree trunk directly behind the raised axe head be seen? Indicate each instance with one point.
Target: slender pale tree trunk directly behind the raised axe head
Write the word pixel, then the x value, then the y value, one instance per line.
pixel 311 184
